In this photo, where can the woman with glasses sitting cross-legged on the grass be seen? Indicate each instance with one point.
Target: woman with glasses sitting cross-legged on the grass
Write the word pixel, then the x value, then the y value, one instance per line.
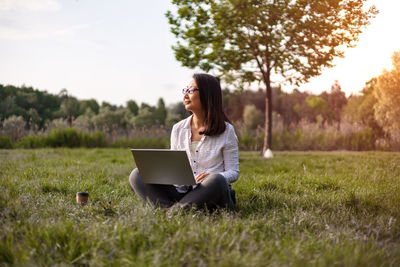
pixel 212 147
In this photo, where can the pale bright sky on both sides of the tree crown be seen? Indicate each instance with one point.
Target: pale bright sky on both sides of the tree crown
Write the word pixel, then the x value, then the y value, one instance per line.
pixel 119 50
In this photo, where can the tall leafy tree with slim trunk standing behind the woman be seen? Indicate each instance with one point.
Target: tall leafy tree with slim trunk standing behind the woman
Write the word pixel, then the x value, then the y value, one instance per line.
pixel 265 41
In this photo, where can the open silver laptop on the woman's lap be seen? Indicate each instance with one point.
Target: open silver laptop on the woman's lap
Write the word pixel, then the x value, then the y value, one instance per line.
pixel 164 166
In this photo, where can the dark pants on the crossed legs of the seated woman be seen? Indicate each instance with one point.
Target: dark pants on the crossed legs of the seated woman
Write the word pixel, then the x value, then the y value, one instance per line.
pixel 213 192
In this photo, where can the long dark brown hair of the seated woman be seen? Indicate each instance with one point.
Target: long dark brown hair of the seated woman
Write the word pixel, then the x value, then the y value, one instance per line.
pixel 211 100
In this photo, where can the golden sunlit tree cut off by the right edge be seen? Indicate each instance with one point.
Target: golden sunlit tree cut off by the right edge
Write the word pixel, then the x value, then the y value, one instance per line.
pixel 387 93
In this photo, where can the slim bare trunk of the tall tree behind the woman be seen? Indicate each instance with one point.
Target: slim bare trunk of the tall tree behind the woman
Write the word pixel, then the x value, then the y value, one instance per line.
pixel 268 115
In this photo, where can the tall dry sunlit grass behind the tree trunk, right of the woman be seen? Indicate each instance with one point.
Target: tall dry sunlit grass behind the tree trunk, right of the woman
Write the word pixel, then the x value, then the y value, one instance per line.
pixel 314 137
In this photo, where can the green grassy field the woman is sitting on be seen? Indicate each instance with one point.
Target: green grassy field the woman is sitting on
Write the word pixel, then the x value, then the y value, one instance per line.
pixel 297 209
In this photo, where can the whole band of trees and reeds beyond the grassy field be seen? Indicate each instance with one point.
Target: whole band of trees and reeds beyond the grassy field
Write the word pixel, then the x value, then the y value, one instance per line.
pixel 302 121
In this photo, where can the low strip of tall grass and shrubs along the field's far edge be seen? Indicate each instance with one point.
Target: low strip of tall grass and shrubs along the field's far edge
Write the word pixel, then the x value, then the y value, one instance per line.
pixel 303 137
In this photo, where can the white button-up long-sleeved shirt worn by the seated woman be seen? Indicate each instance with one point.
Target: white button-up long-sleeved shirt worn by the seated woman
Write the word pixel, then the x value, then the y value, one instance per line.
pixel 213 154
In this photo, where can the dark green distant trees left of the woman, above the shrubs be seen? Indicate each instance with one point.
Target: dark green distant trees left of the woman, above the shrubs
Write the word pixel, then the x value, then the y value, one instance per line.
pixel 39 108
